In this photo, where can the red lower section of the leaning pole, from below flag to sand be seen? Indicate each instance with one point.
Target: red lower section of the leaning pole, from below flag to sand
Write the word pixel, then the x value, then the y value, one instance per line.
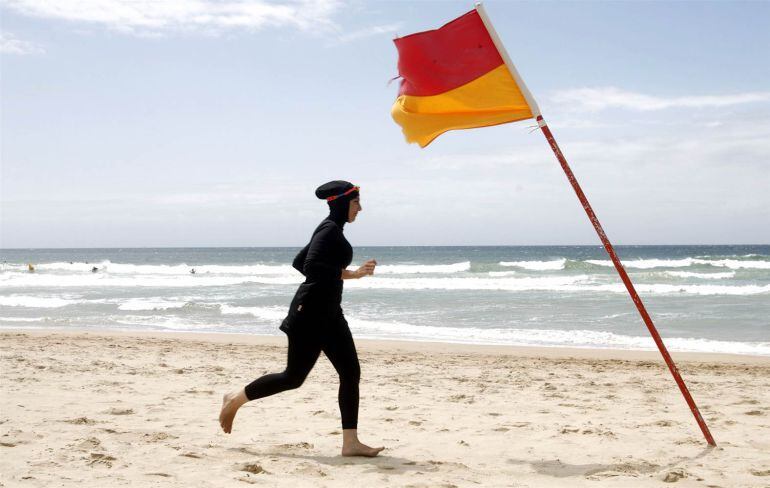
pixel 626 280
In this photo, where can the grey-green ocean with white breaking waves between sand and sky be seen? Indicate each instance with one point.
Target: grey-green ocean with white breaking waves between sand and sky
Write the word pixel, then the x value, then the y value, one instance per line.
pixel 701 298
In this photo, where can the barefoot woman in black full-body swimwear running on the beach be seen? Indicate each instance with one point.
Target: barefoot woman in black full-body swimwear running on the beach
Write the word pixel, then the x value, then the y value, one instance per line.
pixel 315 321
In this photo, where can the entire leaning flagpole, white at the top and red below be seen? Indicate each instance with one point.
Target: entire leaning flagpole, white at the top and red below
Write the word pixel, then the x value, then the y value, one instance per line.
pixel 598 227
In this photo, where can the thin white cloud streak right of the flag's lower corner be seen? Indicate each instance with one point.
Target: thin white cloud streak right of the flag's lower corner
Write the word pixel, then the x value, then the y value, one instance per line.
pixel 596 99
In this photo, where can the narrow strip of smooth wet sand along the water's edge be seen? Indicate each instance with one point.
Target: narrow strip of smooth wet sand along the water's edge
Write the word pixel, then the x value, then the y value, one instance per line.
pixel 406 346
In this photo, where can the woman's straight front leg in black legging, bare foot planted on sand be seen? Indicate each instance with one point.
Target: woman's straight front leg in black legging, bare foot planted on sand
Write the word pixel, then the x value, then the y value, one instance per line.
pixel 341 351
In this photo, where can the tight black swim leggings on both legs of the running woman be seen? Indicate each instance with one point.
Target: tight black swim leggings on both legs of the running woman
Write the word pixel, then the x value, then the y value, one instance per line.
pixel 337 343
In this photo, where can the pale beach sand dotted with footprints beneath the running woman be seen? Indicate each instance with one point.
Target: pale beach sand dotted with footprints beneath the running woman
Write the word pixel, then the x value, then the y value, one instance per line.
pixel 94 409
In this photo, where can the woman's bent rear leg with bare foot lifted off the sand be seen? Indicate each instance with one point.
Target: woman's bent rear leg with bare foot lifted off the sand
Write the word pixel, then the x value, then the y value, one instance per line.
pixel 303 353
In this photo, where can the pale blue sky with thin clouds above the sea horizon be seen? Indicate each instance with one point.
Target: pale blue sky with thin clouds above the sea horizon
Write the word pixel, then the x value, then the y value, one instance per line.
pixel 210 123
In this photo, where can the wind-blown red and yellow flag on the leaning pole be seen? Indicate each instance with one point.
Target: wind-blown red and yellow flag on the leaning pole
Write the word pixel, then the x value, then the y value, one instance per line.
pixel 455 77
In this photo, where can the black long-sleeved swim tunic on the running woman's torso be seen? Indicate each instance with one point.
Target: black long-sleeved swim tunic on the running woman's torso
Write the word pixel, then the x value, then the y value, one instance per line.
pixel 322 262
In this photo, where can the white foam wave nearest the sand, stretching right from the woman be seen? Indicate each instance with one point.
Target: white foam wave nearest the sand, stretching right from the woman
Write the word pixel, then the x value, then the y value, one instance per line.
pixel 546 337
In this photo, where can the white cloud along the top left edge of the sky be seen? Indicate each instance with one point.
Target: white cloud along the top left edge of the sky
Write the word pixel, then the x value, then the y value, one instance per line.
pixel 152 17
